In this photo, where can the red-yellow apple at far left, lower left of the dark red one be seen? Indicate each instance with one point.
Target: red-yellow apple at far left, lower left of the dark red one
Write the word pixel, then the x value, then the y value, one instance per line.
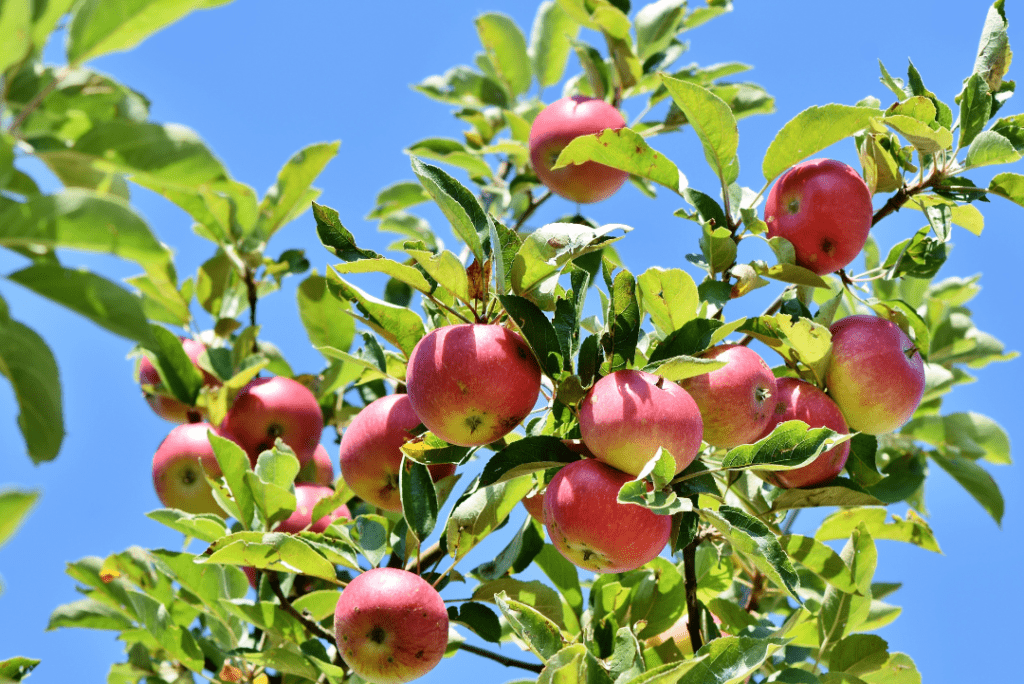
pixel 179 466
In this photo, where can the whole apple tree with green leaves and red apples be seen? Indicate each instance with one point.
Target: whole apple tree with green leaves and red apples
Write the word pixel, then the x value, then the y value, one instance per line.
pixel 664 460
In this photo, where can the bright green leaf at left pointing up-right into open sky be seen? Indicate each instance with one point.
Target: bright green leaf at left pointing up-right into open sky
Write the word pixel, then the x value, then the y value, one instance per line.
pixel 284 201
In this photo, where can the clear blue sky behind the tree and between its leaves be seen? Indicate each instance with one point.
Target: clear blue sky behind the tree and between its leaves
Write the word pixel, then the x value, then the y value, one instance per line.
pixel 260 80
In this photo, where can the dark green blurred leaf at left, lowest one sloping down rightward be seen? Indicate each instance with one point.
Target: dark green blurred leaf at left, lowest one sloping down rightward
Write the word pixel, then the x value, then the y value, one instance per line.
pixel 99 300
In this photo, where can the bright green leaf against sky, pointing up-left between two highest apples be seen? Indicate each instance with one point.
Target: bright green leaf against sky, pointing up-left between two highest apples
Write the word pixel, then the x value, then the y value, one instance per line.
pixel 714 123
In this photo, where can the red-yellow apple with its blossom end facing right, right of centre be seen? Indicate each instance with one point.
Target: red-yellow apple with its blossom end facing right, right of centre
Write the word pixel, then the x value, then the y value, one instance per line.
pixel 736 401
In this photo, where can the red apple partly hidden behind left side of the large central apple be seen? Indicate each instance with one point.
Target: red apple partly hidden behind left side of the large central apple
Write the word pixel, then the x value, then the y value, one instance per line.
pixel 371 451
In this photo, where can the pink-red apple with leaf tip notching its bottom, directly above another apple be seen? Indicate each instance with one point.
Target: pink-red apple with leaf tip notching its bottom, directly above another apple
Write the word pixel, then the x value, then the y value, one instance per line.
pixel 628 415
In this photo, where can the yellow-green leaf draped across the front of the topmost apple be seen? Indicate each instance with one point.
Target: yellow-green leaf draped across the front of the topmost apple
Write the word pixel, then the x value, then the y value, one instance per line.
pixel 627 151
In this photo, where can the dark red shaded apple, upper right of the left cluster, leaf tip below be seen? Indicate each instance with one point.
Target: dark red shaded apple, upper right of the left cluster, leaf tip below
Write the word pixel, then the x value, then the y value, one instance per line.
pixel 272 408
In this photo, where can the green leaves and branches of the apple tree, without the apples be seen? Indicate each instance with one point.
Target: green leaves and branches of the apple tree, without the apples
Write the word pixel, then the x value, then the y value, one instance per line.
pixel 793 609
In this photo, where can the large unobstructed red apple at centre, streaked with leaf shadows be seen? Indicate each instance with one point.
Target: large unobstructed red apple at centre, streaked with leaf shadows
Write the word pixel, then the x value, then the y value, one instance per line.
pixel 473 384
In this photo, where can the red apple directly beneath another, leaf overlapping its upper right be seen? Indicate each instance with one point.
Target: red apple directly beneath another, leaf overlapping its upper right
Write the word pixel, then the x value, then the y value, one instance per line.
pixel 591 529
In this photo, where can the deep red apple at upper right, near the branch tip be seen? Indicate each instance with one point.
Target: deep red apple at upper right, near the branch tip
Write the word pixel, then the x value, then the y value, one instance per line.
pixel 824 207
